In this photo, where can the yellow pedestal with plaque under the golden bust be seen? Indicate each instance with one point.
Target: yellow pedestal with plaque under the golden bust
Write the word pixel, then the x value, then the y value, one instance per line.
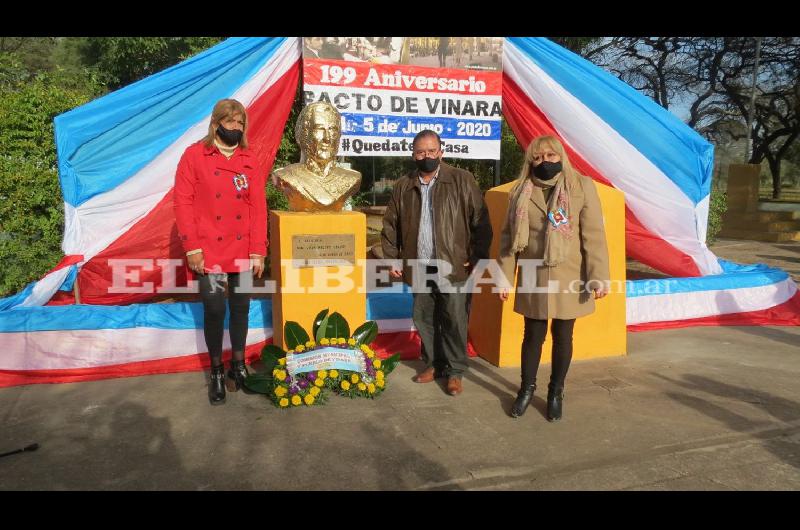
pixel 302 307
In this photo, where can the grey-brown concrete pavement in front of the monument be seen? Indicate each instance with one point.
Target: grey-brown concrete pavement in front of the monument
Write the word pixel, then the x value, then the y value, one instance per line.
pixel 698 409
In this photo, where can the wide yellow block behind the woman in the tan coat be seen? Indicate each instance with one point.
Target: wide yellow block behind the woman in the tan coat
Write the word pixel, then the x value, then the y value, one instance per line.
pixel 496 330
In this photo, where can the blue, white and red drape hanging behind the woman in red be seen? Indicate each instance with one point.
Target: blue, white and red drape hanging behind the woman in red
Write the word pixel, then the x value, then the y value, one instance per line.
pixel 118 156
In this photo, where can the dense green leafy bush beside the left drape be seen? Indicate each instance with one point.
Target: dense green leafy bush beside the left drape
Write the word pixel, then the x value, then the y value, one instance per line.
pixel 31 205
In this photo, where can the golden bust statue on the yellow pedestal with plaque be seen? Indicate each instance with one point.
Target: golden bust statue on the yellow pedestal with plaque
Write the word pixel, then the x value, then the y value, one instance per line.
pixel 317 184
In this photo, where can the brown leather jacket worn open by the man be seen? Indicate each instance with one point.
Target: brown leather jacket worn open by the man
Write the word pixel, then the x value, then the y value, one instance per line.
pixel 463 232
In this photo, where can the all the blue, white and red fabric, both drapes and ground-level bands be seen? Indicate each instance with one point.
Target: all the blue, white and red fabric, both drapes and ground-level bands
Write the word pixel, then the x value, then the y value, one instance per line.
pixel 117 160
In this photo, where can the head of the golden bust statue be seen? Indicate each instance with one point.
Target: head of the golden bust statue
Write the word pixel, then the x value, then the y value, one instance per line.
pixel 317 131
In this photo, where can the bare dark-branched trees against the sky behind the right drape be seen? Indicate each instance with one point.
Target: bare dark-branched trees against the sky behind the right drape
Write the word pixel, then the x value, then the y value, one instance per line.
pixel 714 76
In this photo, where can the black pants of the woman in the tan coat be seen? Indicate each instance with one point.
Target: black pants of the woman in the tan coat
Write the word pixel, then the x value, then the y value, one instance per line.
pixel 535 332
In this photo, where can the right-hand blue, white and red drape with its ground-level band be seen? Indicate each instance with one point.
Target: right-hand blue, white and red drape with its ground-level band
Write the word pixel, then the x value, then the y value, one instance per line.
pixel 623 139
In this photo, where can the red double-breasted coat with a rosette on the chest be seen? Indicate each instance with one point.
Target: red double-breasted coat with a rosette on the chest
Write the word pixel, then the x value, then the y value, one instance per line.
pixel 212 214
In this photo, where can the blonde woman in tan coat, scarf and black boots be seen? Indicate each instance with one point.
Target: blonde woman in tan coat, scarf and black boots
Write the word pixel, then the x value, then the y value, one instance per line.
pixel 554 232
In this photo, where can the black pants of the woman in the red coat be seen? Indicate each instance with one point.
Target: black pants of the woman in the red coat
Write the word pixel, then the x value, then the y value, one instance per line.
pixel 213 293
